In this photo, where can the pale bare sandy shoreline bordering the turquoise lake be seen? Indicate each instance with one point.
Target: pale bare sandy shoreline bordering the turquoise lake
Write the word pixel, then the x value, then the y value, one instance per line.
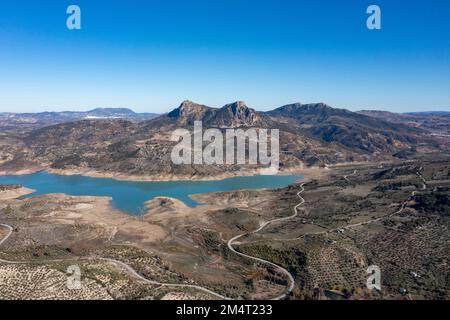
pixel 97 211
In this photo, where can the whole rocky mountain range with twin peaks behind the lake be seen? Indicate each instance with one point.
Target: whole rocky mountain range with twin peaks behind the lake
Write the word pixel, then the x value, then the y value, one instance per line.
pixel 310 135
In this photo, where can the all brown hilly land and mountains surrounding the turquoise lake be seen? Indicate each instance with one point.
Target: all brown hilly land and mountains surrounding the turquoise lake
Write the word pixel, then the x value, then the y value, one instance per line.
pixel 373 192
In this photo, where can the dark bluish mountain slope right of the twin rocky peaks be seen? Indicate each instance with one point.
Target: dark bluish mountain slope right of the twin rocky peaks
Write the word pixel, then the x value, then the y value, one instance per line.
pixel 353 130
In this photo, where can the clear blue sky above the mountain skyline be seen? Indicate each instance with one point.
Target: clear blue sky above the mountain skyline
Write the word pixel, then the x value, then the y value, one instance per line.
pixel 151 55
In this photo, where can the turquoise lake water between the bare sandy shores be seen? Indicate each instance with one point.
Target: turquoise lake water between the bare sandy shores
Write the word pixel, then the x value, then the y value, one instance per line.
pixel 130 196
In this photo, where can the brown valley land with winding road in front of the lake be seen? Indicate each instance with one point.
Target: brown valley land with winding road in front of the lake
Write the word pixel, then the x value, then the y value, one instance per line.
pixel 348 221
